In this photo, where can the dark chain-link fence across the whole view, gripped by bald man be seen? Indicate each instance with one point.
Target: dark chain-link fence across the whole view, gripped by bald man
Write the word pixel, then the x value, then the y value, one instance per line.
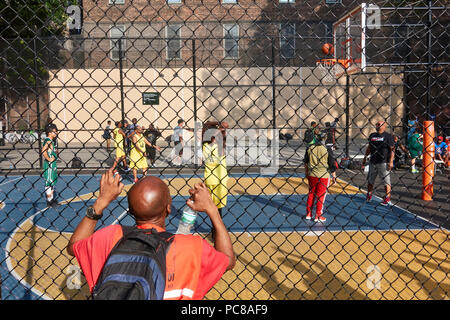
pixel 261 67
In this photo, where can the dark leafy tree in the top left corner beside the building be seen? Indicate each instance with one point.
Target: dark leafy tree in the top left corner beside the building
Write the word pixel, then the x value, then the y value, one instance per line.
pixel 28 29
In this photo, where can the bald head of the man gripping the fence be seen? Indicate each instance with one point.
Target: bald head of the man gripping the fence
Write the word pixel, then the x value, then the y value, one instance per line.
pixel 149 200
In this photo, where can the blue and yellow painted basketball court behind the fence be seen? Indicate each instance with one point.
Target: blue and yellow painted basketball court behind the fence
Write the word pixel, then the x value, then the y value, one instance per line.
pixel 280 254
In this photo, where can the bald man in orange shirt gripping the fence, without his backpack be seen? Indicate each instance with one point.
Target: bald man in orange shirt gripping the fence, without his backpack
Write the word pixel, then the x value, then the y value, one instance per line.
pixel 150 204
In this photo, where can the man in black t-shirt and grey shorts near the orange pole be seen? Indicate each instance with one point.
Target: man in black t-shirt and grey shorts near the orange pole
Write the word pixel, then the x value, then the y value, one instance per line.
pixel 381 151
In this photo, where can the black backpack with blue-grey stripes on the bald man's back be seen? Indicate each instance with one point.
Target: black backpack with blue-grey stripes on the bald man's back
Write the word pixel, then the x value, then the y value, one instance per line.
pixel 136 267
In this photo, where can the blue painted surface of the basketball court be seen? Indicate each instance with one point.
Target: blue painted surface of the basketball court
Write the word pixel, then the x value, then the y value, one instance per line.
pixel 23 200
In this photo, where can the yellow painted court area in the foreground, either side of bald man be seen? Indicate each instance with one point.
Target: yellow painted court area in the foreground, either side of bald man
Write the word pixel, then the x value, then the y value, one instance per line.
pixel 293 265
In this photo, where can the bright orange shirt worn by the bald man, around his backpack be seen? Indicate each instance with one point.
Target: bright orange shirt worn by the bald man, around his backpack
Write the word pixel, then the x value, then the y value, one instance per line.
pixel 193 266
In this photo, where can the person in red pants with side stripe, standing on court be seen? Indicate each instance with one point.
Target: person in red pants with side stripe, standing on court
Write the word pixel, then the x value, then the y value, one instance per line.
pixel 319 162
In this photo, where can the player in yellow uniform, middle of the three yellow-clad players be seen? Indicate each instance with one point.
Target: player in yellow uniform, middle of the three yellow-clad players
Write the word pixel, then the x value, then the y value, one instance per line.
pixel 138 157
